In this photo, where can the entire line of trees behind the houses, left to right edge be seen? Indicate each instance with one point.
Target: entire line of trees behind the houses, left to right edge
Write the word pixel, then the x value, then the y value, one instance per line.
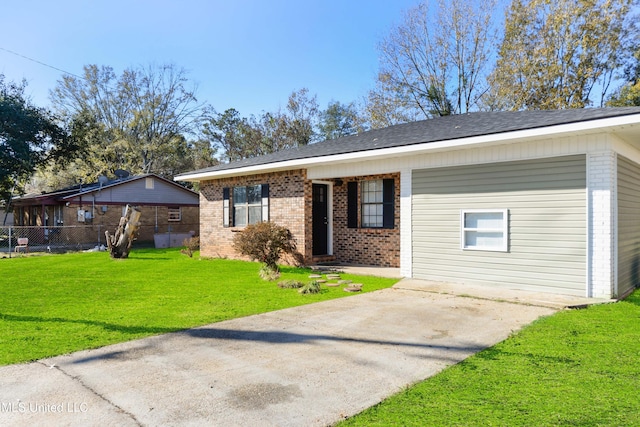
pixel 444 57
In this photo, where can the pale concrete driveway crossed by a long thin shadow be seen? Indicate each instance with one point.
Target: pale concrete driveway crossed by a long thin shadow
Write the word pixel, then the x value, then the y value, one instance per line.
pixel 304 366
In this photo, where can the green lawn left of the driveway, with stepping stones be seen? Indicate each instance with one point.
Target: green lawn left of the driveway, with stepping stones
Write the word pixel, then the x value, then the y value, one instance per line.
pixel 56 304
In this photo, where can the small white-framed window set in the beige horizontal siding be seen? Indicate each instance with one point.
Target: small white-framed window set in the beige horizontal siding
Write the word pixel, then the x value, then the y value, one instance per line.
pixel 484 229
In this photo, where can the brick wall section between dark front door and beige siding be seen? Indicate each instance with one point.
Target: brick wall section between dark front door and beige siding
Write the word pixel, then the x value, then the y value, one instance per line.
pixel 369 246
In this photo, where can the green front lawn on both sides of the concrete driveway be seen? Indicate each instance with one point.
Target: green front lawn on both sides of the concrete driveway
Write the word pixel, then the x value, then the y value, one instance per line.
pixel 578 367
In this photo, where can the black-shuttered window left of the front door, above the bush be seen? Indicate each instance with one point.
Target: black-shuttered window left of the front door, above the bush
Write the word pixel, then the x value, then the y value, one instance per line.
pixel 249 205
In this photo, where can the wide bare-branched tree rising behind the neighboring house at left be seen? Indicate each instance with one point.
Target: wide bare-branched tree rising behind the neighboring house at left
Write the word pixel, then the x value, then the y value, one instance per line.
pixel 137 121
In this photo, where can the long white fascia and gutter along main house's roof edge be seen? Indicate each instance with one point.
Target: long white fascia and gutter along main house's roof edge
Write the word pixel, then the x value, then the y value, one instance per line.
pixel 576 128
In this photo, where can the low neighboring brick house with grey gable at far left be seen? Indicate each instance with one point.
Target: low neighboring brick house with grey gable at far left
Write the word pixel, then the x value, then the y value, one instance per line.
pixel 166 206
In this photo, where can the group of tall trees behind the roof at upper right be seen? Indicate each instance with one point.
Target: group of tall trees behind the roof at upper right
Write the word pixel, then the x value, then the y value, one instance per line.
pixel 451 57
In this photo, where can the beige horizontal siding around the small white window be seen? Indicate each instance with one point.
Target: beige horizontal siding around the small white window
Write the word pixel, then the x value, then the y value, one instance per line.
pixel 546 202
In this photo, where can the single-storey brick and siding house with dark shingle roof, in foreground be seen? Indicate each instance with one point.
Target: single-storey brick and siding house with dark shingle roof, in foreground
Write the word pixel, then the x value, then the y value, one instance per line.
pixel 535 200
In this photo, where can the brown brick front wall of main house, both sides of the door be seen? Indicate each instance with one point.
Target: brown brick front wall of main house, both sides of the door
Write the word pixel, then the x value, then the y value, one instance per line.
pixel 290 205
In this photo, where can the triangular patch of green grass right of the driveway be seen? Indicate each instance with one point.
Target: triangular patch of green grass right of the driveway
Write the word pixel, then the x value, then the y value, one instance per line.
pixel 575 368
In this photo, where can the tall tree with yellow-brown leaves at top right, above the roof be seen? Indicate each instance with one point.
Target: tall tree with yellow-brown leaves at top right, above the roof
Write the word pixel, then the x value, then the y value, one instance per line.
pixel 560 54
